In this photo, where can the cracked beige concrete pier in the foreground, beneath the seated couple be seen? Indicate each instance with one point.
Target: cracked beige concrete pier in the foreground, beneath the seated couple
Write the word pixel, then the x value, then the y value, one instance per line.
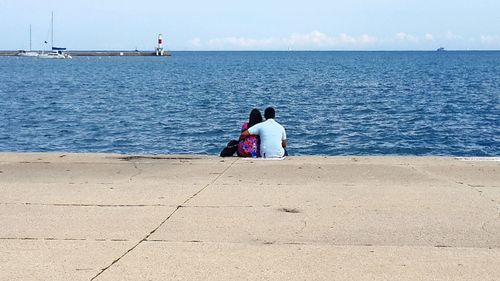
pixel 117 217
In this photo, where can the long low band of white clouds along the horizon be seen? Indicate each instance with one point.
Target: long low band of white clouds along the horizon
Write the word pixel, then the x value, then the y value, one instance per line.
pixel 317 40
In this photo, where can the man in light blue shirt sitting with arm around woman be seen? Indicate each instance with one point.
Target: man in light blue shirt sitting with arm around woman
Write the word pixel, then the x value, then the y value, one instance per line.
pixel 272 136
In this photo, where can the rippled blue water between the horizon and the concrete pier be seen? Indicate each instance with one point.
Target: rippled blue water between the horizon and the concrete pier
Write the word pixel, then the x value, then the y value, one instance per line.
pixel 331 103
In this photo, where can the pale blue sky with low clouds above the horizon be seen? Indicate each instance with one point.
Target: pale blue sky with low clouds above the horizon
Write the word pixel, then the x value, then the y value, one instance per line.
pixel 253 25
